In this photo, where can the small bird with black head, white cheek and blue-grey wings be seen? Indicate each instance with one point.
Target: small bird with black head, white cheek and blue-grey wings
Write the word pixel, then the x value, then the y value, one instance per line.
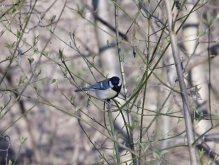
pixel 106 89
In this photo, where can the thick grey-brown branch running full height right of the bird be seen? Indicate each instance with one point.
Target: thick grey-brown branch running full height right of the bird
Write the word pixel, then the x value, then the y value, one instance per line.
pixel 184 95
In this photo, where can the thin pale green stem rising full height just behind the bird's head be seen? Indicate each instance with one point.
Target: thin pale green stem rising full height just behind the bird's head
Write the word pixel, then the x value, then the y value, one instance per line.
pixel 131 141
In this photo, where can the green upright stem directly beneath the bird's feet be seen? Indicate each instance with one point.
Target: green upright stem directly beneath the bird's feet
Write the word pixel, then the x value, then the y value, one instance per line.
pixel 114 137
